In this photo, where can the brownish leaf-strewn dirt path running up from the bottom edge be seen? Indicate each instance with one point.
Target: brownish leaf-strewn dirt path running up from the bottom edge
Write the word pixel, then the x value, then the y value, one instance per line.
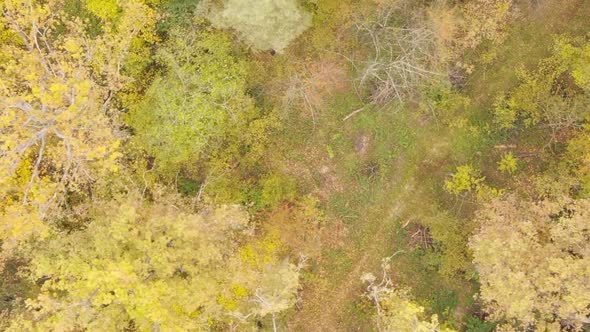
pixel 328 302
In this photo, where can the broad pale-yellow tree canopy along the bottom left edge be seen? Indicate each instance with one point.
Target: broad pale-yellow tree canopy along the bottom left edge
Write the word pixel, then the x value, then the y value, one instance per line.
pixel 156 266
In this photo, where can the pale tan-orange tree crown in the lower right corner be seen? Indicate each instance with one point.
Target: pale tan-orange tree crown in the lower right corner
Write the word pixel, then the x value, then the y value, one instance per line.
pixel 532 259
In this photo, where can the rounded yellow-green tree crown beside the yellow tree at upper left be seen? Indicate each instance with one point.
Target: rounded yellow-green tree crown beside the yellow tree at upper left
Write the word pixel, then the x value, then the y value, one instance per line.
pixel 198 109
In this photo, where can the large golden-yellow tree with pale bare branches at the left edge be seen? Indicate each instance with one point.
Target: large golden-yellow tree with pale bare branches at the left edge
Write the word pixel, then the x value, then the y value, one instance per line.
pixel 56 83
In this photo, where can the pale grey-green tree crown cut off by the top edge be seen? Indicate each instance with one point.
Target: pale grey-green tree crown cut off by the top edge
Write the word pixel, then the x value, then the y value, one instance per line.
pixel 266 24
